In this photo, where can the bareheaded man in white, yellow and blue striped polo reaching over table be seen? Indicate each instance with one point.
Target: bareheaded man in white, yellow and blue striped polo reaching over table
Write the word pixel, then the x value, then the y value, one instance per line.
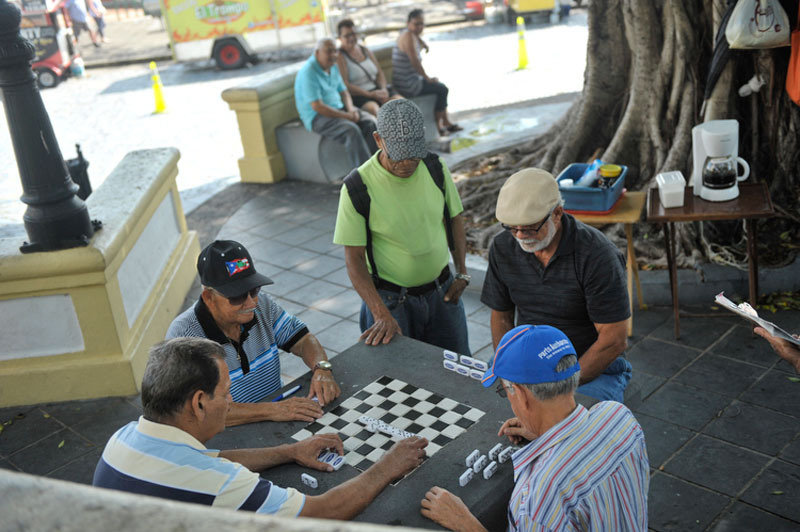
pixel 185 398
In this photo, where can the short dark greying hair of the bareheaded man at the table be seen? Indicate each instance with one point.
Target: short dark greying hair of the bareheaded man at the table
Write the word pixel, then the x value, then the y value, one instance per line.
pixel 175 370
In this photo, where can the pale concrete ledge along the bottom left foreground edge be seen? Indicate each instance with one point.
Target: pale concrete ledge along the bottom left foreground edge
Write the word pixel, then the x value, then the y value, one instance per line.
pixel 37 503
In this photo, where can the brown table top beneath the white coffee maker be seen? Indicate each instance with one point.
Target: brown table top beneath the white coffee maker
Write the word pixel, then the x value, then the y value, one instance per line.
pixel 753 202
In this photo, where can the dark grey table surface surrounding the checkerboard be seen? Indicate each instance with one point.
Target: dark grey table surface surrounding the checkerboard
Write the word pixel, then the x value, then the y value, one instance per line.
pixel 421 365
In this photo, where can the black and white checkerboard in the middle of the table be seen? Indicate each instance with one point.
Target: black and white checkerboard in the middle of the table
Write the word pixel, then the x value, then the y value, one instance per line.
pixel 403 405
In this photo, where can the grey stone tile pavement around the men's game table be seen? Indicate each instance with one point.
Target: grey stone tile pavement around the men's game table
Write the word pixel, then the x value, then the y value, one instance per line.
pixel 718 408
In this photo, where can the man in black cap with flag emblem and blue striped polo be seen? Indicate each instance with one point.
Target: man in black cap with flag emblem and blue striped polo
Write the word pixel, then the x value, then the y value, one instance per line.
pixel 251 326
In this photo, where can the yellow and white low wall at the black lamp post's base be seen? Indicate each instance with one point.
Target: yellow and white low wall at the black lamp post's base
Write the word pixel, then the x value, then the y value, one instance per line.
pixel 77 323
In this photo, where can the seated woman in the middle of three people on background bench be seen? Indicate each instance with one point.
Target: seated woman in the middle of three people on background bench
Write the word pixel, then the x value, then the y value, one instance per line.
pixel 361 72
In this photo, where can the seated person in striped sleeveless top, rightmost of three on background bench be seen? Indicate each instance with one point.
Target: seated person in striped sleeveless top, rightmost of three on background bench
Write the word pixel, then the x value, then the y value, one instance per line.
pixel 410 79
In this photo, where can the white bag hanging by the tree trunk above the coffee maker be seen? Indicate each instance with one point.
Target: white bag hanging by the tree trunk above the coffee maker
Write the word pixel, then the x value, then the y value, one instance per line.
pixel 756 24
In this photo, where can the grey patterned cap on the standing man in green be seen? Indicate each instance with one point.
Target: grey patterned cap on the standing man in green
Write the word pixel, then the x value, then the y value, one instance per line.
pixel 402 129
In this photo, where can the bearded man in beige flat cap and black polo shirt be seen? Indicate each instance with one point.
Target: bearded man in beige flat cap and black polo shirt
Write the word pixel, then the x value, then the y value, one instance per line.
pixel 547 268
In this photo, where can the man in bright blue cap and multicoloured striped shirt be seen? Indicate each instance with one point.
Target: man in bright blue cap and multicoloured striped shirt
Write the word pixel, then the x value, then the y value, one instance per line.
pixel 578 469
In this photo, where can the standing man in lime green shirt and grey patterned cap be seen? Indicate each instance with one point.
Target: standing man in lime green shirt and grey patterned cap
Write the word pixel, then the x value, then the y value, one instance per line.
pixel 398 213
